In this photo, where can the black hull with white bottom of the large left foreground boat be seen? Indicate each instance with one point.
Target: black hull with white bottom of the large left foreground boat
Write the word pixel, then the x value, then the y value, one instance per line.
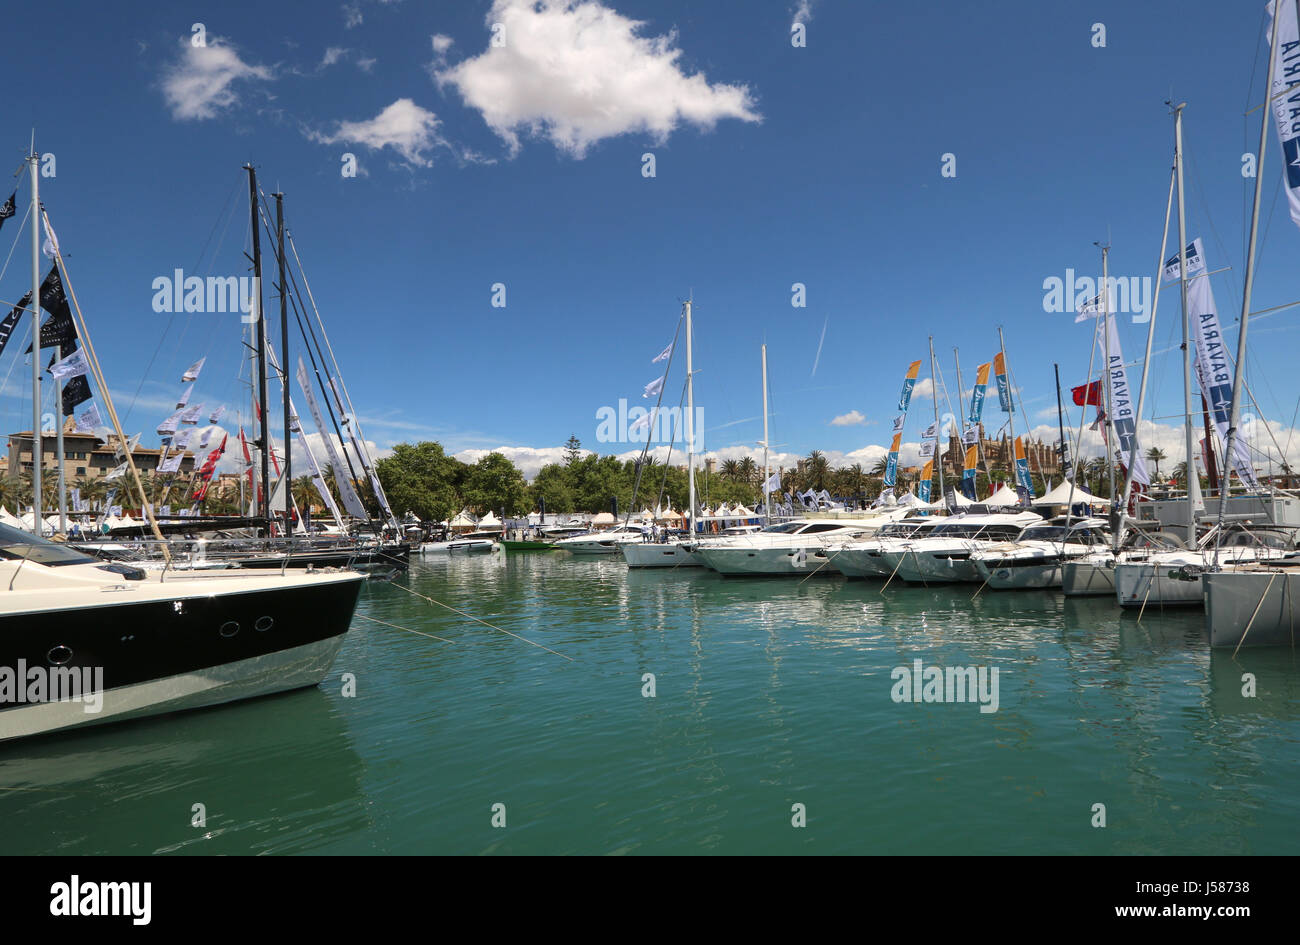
pixel 153 657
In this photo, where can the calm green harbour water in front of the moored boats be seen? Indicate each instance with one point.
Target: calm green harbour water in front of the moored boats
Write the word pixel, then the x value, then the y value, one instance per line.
pixel 769 693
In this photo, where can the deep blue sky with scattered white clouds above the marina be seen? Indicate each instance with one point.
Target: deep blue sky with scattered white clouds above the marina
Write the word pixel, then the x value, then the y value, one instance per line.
pixel 523 166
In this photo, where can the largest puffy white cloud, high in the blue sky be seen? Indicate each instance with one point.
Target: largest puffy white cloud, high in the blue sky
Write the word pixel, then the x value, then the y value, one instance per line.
pixel 578 73
